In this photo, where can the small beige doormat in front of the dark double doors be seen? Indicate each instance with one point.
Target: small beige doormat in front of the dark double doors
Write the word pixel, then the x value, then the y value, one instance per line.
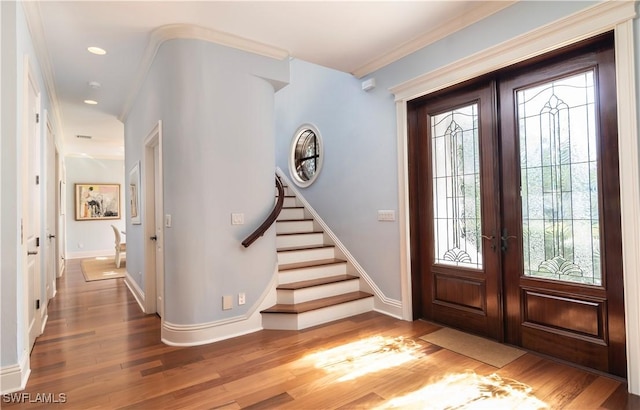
pixel 484 350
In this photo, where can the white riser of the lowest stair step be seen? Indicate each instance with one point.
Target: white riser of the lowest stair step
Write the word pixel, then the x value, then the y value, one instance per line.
pixel 301 321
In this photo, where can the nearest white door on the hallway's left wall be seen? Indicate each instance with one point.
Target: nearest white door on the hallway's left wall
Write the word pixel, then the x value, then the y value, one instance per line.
pixel 31 205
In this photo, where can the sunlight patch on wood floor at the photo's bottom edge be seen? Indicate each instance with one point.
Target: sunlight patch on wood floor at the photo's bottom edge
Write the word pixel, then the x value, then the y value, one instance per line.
pixel 470 391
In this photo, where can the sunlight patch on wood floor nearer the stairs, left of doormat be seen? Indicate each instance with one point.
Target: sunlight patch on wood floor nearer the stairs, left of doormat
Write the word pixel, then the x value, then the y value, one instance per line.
pixel 366 356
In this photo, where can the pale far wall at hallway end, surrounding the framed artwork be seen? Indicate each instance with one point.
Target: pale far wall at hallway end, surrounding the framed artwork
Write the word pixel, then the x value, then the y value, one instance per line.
pixel 92 238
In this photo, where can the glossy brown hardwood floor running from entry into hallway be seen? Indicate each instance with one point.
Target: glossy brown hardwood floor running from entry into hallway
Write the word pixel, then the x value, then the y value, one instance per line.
pixel 99 351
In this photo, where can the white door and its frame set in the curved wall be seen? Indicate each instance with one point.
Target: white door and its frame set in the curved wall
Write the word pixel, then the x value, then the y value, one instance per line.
pixel 153 200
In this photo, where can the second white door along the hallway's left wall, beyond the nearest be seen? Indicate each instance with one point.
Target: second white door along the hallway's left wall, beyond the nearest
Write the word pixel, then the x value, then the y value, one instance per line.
pixel 51 202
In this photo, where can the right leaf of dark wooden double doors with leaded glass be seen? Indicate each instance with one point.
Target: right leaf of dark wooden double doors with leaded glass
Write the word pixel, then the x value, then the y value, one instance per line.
pixel 561 219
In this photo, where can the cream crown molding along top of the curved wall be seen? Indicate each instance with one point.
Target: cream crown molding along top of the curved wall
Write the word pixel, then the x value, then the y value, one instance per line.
pixel 192 32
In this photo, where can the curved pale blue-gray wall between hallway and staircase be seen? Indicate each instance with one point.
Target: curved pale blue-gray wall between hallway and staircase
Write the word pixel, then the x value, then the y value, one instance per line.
pixel 216 106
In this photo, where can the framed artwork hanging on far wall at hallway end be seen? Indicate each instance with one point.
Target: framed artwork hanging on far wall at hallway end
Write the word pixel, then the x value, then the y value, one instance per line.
pixel 97 201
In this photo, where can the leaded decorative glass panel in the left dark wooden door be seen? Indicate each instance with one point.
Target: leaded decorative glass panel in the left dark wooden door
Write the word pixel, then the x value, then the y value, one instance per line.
pixel 456 188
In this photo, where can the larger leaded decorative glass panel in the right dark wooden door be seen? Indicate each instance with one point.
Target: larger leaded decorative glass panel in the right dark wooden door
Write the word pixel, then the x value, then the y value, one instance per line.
pixel 559 183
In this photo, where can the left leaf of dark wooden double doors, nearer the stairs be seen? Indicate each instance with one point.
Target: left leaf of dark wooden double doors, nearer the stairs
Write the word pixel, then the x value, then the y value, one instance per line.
pixel 455 208
